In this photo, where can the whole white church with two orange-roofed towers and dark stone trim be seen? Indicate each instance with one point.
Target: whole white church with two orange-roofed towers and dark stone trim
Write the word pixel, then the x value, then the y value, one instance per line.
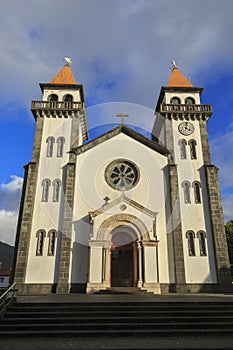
pixel 120 210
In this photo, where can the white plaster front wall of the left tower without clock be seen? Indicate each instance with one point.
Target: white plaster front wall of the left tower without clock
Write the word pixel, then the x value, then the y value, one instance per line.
pixel 41 269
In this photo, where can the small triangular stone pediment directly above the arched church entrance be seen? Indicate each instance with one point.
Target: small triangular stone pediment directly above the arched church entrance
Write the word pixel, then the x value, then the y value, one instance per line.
pixel 122 202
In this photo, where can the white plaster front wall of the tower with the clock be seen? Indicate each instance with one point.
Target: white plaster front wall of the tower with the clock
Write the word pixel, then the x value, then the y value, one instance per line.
pixel 198 269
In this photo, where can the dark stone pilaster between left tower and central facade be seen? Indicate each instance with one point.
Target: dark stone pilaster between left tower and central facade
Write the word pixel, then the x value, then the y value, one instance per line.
pixel 65 250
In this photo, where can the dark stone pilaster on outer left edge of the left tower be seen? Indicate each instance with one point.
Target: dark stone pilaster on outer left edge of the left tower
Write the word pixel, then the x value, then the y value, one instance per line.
pixel 25 222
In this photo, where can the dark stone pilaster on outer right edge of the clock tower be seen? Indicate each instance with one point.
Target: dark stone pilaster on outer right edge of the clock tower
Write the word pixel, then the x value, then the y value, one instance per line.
pixel 218 230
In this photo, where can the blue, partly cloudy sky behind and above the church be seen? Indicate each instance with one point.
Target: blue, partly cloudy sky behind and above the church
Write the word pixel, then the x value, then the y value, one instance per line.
pixel 121 52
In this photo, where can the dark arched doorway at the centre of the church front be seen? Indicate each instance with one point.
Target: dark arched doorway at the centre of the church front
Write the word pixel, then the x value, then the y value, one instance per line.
pixel 123 259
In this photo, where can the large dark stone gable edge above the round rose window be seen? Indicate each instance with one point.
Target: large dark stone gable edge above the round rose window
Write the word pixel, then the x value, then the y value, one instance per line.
pixel 116 131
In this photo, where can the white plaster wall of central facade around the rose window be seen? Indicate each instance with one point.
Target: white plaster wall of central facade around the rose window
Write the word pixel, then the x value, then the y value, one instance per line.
pixel 150 192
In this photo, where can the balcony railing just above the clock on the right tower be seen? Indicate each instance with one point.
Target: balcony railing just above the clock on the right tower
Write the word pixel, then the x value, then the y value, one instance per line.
pixel 173 108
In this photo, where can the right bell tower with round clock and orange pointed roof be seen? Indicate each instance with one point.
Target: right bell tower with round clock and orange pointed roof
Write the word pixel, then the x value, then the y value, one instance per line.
pixel 196 222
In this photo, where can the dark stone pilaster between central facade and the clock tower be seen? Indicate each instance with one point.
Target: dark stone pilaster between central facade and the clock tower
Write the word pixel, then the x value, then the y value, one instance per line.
pixel 180 281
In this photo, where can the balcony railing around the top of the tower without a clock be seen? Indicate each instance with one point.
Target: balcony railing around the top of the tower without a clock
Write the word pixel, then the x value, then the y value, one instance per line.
pixel 56 105
